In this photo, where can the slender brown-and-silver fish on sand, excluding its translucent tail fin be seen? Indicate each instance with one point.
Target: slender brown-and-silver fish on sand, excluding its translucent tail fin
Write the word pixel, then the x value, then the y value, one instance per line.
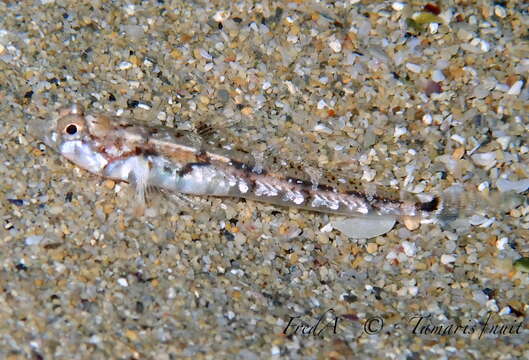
pixel 164 158
